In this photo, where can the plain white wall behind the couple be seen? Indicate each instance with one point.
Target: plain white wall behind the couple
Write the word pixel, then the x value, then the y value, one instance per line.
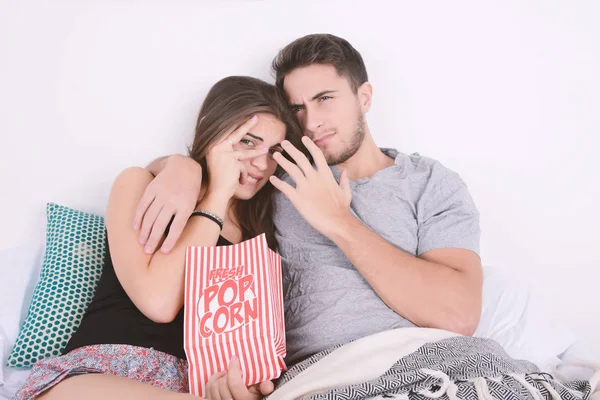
pixel 506 93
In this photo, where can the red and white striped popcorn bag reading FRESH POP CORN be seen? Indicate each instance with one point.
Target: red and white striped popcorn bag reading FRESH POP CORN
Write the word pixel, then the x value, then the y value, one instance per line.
pixel 233 306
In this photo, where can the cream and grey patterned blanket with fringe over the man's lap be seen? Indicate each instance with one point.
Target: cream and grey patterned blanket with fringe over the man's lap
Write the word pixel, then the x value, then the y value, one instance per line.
pixel 419 363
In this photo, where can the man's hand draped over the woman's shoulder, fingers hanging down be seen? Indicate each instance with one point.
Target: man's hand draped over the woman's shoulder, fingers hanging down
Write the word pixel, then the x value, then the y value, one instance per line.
pixel 172 194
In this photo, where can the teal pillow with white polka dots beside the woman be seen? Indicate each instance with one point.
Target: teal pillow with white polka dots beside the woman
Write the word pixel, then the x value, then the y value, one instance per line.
pixel 72 266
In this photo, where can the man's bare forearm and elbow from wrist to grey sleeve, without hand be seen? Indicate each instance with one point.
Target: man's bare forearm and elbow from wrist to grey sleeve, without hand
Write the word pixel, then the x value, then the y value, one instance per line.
pixel 440 289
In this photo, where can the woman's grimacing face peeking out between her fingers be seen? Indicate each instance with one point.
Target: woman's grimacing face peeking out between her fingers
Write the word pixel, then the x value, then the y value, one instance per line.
pixel 267 134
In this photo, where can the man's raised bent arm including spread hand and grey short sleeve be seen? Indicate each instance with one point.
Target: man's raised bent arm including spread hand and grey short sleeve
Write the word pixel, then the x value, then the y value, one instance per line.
pixel 440 289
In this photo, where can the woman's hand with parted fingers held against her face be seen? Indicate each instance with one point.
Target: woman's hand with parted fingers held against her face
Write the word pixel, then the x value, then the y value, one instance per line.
pixel 224 163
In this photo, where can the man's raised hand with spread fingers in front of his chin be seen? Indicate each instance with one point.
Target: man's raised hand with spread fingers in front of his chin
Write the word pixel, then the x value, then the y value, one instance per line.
pixel 317 196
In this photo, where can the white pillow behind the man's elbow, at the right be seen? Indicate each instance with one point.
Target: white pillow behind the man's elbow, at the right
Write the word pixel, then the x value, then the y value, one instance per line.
pixel 514 315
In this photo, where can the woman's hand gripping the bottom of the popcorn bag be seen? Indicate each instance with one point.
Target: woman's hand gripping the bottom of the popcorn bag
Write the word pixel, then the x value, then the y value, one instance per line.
pixel 230 385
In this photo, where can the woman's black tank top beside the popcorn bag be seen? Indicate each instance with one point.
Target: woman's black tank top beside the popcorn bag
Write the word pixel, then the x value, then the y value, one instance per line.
pixel 112 318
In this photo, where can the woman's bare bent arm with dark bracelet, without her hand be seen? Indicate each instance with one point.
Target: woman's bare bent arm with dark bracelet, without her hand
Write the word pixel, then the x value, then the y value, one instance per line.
pixel 154 282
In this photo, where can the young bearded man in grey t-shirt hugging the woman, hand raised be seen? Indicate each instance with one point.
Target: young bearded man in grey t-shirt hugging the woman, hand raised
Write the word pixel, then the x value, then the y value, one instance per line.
pixel 371 239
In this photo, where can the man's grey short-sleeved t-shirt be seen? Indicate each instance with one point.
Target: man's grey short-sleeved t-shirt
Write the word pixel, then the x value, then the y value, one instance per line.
pixel 417 205
